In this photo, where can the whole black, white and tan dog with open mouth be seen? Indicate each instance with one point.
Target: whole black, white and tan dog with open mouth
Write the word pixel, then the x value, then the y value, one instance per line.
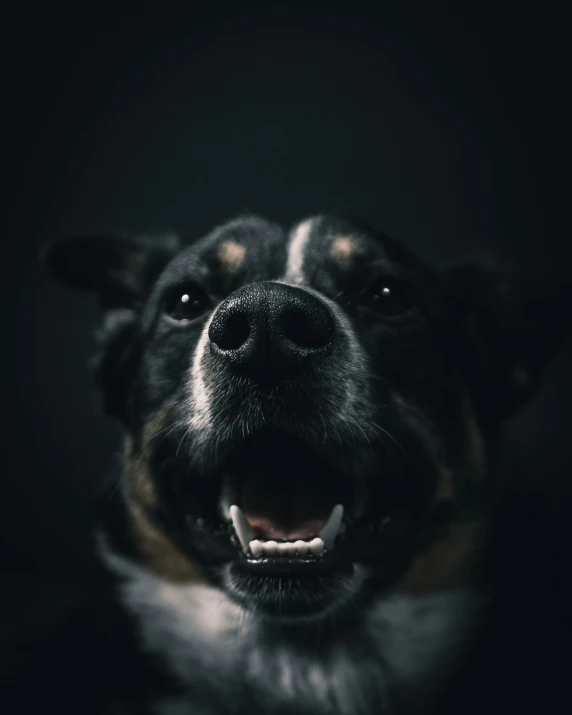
pixel 312 419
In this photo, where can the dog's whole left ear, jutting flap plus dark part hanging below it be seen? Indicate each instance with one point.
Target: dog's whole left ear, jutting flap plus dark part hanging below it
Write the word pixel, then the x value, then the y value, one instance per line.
pixel 121 272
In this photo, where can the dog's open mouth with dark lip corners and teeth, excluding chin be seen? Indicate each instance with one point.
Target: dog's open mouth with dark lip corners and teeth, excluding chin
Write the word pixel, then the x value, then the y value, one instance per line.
pixel 277 504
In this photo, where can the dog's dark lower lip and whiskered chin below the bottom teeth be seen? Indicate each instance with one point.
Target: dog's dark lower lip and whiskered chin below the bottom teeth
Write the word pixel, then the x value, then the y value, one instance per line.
pixel 313 587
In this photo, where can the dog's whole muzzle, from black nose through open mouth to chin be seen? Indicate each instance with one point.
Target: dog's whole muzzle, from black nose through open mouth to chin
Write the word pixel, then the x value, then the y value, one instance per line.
pixel 290 482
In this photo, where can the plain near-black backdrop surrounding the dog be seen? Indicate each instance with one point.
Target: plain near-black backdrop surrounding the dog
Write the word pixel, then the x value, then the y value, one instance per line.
pixel 444 128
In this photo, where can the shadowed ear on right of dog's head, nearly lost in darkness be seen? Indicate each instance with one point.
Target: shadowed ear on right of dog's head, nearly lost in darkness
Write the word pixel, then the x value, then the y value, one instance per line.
pixel 507 328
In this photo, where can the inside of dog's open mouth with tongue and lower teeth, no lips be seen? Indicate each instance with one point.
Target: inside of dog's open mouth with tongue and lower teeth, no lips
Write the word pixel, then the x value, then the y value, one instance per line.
pixel 286 504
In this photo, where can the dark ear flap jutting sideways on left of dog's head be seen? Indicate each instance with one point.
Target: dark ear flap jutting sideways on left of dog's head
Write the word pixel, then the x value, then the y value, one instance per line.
pixel 119 269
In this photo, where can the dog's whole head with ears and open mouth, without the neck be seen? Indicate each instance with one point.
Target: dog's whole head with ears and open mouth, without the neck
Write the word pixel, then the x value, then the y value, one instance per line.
pixel 308 413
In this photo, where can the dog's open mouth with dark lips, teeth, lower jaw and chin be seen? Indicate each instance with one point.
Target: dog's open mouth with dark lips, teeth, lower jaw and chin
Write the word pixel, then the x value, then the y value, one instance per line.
pixel 280 516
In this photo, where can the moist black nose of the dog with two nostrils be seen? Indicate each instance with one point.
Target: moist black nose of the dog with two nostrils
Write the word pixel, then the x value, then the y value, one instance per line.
pixel 270 331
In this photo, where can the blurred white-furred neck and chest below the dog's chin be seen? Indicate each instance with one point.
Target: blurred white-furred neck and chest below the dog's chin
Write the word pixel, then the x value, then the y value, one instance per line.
pixel 398 650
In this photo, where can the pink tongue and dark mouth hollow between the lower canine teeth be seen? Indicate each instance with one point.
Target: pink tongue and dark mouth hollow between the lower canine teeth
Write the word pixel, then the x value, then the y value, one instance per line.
pixel 287 509
